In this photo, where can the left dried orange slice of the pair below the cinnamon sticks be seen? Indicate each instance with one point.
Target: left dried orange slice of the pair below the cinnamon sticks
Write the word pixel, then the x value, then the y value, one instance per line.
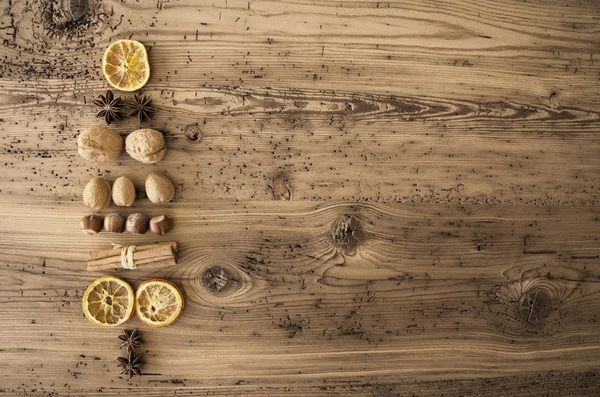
pixel 108 301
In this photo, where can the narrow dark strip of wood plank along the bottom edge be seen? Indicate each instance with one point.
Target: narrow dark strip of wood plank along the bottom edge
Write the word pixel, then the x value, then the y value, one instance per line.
pixel 542 385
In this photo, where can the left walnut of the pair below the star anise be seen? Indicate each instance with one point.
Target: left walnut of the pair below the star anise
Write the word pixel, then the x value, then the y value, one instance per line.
pixel 100 144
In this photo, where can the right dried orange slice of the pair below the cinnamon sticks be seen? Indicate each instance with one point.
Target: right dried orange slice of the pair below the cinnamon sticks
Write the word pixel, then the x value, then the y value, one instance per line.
pixel 158 303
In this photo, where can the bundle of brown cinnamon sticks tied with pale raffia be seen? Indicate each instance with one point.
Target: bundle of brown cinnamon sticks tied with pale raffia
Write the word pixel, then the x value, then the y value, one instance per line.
pixel 151 256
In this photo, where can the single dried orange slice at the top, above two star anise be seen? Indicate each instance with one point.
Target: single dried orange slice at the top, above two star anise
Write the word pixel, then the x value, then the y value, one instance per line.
pixel 125 65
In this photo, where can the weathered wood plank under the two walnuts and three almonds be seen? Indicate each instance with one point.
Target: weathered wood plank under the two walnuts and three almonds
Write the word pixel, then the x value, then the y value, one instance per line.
pixel 384 148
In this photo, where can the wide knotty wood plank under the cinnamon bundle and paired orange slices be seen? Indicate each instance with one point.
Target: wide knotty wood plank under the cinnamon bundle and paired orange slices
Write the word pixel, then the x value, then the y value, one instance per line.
pixel 421 283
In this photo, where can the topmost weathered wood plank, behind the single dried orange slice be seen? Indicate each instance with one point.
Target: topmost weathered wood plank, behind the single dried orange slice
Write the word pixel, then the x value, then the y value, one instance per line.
pixel 299 33
